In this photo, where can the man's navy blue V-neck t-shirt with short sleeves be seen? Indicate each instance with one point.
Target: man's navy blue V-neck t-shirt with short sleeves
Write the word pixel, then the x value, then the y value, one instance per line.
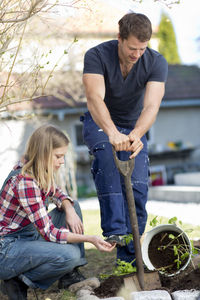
pixel 124 97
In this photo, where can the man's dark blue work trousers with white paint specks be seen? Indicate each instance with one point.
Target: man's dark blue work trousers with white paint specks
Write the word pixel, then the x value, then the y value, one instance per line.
pixel 111 188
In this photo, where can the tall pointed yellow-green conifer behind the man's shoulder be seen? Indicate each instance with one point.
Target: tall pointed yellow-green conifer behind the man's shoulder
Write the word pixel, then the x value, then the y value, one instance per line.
pixel 167 41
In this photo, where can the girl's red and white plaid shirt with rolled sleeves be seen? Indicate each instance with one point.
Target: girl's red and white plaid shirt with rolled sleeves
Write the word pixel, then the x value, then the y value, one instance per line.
pixel 22 202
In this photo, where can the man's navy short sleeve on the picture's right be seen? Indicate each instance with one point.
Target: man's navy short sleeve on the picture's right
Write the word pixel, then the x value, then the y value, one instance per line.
pixel 160 70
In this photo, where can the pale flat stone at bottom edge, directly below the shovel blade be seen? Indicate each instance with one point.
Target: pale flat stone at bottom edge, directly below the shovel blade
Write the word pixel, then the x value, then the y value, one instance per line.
pixel 150 295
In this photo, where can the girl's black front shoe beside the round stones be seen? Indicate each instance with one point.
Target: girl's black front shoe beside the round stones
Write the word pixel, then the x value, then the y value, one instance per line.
pixel 70 278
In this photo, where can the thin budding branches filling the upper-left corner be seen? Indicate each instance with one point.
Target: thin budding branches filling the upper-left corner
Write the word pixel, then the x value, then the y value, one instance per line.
pixel 25 68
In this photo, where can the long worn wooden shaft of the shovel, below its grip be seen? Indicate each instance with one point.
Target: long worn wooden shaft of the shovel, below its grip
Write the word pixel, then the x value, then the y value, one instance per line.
pixel 135 231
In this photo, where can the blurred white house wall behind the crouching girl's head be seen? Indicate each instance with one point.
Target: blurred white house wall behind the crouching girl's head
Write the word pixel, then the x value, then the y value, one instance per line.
pixel 15 133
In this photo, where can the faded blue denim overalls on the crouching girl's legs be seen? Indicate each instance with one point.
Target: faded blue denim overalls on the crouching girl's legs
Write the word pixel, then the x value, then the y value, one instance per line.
pixel 36 262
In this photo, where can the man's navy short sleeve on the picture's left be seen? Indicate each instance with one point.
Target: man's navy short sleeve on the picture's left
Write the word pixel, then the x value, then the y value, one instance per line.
pixel 93 63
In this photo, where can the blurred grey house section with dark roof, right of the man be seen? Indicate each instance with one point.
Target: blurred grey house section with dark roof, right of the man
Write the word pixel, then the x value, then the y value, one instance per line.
pixel 174 141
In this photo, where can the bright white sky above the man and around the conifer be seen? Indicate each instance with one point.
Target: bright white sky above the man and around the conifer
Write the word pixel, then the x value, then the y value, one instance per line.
pixel 185 18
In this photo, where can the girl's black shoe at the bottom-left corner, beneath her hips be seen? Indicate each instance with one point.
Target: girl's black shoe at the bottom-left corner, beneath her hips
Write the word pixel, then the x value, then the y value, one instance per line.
pixel 14 288
